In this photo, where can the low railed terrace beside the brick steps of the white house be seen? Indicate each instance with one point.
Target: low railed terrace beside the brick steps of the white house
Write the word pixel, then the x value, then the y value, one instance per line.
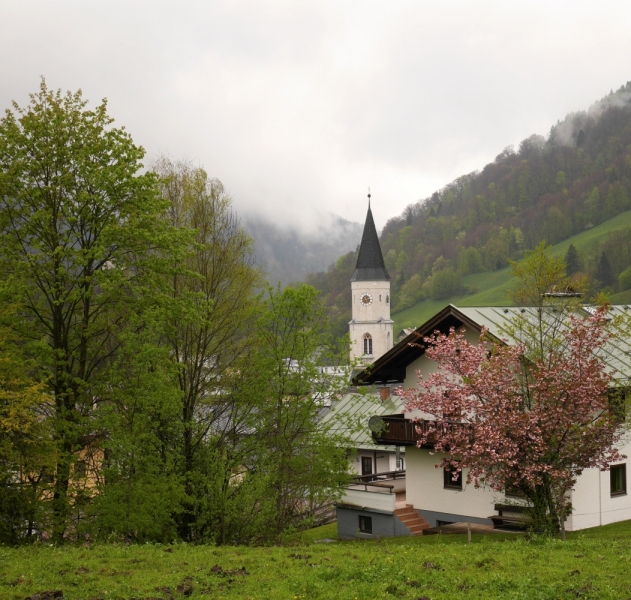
pixel 379 491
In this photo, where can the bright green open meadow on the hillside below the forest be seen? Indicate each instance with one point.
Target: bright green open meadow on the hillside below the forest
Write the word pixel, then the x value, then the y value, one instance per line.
pixel 493 287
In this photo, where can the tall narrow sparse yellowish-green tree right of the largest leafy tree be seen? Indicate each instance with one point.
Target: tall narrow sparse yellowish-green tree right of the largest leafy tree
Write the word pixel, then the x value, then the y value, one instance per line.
pixel 215 309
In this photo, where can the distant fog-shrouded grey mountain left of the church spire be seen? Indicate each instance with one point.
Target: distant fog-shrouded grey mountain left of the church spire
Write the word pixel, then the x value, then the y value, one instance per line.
pixel 287 254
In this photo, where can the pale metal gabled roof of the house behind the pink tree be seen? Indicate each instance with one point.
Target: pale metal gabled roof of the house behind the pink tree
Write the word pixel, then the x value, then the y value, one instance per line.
pixel 391 367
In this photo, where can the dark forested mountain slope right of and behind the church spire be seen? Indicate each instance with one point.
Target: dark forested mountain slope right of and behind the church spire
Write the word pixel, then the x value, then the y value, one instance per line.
pixel 548 189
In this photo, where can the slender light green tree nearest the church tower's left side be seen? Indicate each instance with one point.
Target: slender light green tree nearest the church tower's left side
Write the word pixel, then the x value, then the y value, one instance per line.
pixel 306 462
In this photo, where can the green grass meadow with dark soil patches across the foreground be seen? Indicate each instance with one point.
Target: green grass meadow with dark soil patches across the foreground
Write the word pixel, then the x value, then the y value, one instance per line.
pixel 594 563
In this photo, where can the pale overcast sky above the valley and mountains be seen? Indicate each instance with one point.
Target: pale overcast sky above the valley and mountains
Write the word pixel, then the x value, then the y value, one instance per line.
pixel 298 107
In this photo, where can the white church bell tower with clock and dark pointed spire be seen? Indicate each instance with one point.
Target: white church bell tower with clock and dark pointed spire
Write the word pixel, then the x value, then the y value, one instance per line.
pixel 371 328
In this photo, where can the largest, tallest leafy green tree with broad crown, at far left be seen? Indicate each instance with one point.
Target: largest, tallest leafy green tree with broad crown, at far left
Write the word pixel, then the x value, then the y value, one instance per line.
pixel 82 250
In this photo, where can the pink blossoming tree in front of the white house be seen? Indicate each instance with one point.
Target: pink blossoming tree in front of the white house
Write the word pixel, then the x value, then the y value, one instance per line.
pixel 529 425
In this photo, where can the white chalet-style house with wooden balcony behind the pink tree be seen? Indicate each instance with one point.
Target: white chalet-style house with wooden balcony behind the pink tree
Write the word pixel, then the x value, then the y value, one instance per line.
pixel 599 497
